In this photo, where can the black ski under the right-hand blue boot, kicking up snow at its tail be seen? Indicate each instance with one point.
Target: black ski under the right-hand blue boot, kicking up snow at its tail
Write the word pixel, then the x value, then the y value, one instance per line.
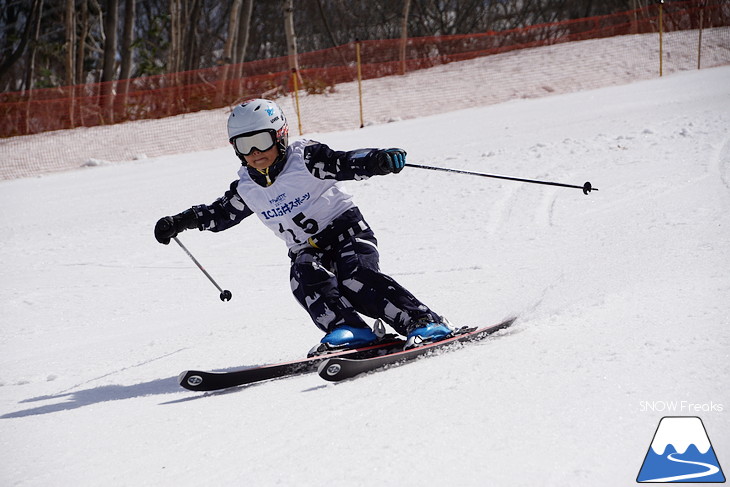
pixel 335 369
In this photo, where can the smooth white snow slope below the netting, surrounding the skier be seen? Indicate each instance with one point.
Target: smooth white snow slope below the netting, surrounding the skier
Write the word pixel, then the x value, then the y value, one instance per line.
pixel 622 297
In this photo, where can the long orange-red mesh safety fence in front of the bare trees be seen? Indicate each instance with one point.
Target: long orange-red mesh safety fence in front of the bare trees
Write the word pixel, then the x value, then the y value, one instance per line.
pixel 154 97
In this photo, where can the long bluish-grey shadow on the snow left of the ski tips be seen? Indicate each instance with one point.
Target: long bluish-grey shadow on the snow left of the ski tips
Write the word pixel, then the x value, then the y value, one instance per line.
pixel 68 400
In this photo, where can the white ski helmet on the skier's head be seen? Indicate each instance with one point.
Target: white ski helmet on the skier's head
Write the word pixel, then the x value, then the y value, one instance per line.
pixel 256 116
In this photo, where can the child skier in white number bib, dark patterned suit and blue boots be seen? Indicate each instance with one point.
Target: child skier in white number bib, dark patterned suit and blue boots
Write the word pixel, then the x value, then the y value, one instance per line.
pixel 295 191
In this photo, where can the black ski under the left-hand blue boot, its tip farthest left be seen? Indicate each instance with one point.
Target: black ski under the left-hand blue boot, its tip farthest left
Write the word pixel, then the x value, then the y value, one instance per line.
pixel 198 380
